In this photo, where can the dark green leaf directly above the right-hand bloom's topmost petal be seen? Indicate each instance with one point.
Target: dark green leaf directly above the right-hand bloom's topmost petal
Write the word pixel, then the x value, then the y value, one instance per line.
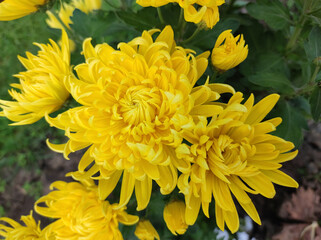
pixel 275 80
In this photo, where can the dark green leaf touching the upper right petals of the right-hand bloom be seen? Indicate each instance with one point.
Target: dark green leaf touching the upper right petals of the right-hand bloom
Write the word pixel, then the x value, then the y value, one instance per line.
pixel 293 122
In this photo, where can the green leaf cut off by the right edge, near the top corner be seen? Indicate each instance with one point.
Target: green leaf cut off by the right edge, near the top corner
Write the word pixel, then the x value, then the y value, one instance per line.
pixel 313 46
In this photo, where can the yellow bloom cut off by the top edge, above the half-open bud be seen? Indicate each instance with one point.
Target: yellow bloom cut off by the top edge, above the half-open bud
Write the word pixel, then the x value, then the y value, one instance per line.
pixel 195 11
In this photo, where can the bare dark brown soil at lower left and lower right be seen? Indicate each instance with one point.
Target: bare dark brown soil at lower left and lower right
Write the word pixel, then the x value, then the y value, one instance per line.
pixel 291 213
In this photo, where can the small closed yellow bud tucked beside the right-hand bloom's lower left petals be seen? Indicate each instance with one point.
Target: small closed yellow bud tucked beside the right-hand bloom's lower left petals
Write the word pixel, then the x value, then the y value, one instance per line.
pixel 174 216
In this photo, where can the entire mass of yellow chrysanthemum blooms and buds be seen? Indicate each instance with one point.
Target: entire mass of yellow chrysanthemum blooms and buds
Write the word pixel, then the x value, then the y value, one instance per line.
pixel 144 117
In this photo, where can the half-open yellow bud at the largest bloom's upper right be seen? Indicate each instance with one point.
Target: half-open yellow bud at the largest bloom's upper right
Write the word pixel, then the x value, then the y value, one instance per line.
pixel 228 51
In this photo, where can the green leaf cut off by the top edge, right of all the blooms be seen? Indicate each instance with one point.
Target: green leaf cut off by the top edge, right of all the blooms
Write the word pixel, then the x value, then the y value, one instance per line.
pixel 274 13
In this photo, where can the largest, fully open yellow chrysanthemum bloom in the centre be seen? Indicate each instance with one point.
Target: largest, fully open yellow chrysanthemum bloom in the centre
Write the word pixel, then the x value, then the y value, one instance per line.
pixel 134 103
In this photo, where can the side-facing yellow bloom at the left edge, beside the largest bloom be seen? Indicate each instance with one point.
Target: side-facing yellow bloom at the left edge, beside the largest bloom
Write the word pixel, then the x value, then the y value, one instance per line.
pixel 41 89
